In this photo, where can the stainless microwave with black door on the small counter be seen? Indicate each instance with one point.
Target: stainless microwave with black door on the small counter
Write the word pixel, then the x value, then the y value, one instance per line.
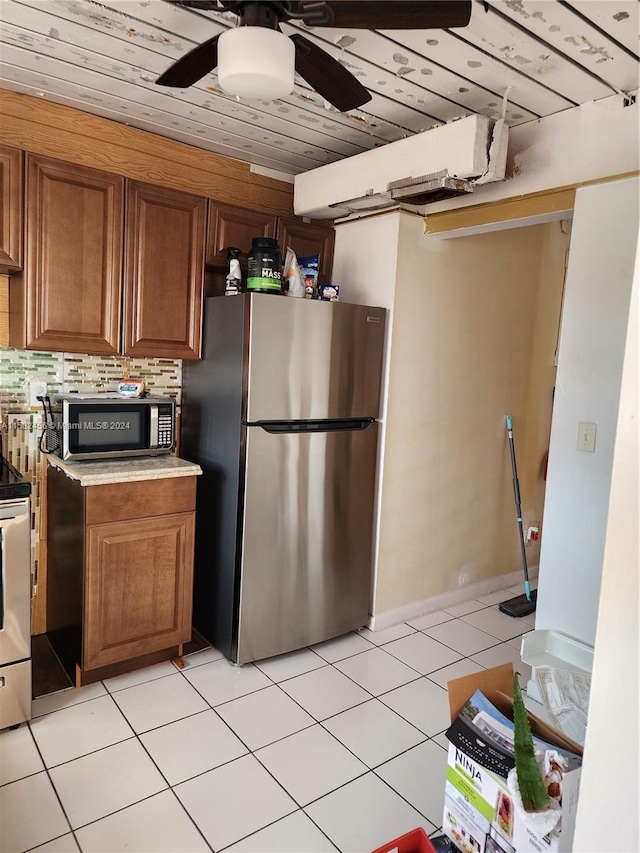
pixel 109 426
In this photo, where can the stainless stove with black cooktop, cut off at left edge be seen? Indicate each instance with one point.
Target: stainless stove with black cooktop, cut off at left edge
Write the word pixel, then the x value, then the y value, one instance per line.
pixel 15 596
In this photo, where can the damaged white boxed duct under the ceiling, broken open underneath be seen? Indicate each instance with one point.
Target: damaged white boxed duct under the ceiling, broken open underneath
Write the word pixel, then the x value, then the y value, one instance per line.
pixel 436 164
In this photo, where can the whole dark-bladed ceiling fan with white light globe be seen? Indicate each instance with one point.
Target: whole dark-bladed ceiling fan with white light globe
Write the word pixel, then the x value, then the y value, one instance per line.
pixel 256 60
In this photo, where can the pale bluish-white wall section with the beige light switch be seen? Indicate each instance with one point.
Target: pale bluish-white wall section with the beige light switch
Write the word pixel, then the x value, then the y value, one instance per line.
pixel 595 314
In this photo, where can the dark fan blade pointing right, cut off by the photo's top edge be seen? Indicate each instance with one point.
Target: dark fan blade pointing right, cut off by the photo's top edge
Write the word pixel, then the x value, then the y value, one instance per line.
pixel 399 14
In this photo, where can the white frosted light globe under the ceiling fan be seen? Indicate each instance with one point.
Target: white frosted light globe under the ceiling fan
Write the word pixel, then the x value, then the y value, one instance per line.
pixel 255 62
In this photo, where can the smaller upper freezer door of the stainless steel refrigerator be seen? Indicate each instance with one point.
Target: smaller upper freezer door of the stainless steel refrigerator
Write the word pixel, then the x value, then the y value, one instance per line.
pixel 311 359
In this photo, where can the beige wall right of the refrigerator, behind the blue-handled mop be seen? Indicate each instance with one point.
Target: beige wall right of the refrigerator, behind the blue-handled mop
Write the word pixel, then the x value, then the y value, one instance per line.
pixel 466 317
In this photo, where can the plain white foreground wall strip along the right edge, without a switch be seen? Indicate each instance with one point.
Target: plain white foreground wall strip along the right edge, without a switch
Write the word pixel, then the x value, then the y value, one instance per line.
pixel 607 817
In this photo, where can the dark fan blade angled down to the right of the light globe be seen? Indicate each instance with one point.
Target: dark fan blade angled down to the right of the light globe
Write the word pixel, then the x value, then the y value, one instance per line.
pixel 325 74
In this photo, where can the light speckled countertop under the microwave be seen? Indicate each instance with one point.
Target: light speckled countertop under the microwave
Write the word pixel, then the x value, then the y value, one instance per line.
pixel 100 472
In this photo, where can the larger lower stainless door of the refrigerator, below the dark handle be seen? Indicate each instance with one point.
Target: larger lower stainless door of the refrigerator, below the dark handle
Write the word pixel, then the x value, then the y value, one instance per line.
pixel 307 538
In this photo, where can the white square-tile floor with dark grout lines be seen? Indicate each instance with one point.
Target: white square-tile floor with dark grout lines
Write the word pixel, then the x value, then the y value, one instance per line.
pixel 335 747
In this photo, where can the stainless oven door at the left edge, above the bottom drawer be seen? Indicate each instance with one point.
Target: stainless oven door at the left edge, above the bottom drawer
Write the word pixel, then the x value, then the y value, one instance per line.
pixel 15 581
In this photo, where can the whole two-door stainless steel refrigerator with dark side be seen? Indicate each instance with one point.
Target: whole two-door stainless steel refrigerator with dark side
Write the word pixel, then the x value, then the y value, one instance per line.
pixel 281 415
